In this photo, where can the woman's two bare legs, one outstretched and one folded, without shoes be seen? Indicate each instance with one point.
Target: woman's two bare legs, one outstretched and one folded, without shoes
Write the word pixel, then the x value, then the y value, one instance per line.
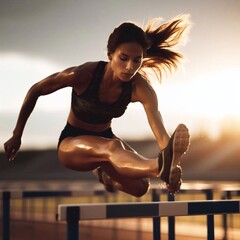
pixel 85 153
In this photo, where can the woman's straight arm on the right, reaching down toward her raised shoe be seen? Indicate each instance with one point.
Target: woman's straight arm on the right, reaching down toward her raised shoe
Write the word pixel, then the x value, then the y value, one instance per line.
pixel 145 94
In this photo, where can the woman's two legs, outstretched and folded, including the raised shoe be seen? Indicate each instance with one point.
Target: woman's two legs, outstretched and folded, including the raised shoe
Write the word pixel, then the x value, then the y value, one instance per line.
pixel 123 166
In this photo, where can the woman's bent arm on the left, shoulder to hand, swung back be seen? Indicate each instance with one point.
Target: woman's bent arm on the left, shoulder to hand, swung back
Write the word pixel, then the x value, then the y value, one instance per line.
pixel 46 86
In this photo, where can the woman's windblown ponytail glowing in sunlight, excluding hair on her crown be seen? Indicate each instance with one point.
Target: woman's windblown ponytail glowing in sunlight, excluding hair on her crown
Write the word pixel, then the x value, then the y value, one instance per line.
pixel 161 56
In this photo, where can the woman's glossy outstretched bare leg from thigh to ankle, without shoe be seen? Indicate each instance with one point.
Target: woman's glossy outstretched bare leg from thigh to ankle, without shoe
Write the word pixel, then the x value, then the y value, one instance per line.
pixel 85 153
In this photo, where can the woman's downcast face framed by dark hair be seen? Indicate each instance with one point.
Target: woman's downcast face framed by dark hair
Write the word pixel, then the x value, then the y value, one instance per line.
pixel 126 61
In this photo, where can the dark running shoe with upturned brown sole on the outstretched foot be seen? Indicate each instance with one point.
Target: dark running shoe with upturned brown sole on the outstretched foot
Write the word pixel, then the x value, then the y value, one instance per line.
pixel 169 158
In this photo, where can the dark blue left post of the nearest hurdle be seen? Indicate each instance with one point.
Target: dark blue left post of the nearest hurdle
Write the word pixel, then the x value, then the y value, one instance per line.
pixel 72 223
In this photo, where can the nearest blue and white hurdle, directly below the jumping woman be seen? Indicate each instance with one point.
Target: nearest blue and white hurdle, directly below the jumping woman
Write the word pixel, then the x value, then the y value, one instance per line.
pixel 73 213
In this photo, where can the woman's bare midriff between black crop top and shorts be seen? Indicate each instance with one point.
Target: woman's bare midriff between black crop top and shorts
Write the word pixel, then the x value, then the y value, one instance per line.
pixel 74 121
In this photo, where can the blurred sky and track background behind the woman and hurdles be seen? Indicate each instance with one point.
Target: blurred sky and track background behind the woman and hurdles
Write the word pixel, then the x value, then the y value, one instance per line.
pixel 38 38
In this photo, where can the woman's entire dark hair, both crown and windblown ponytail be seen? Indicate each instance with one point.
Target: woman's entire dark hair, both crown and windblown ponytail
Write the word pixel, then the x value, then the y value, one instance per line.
pixel 157 40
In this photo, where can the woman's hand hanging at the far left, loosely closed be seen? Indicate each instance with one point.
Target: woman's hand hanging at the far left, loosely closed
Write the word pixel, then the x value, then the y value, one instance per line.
pixel 12 146
